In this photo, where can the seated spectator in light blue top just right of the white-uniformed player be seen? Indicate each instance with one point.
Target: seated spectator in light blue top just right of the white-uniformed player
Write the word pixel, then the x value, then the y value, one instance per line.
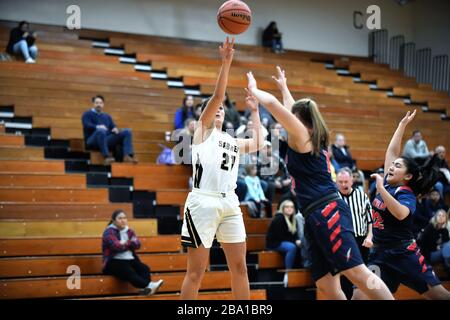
pixel 255 195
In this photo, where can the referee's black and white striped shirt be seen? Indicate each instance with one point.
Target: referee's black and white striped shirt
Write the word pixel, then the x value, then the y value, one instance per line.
pixel 361 209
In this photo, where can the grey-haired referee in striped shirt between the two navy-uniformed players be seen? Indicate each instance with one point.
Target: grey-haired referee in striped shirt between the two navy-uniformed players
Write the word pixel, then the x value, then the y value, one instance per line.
pixel 361 209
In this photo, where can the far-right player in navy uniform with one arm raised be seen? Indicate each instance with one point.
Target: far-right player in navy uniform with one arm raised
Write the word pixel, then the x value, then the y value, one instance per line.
pixel 395 254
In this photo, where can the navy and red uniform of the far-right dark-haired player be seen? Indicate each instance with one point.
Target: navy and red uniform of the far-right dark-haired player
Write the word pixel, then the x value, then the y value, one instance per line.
pixel 395 251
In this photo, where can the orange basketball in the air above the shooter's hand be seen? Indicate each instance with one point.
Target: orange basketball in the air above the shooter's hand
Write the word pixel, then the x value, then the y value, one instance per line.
pixel 234 17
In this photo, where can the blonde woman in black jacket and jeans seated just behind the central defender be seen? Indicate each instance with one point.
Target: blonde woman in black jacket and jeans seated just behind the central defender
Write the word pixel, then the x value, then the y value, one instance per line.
pixel 282 235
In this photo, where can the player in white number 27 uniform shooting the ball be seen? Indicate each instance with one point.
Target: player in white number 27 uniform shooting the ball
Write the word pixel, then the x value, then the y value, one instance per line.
pixel 212 208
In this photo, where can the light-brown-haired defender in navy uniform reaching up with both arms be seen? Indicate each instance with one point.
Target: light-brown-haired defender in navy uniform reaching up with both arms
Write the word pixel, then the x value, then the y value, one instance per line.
pixel 328 221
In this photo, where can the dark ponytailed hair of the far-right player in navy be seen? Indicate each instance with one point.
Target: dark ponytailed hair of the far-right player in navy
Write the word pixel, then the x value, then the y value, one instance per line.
pixel 423 177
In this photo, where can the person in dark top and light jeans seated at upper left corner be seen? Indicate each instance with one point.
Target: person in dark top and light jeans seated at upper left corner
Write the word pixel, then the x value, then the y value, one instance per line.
pixel 22 41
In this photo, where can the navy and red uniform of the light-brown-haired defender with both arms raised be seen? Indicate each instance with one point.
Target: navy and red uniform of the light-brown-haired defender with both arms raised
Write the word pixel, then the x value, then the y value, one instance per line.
pixel 328 221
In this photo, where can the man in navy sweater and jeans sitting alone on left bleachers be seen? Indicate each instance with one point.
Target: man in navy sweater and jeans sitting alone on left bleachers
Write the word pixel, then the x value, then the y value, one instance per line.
pixel 100 133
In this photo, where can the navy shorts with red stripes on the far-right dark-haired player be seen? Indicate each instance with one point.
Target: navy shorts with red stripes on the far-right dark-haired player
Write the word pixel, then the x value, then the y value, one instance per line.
pixel 403 264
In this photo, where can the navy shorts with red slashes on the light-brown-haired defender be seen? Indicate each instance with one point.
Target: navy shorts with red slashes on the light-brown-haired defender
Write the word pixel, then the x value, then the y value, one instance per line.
pixel 331 241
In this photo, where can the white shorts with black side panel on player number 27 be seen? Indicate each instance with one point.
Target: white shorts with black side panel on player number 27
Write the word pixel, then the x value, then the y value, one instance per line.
pixel 212 214
